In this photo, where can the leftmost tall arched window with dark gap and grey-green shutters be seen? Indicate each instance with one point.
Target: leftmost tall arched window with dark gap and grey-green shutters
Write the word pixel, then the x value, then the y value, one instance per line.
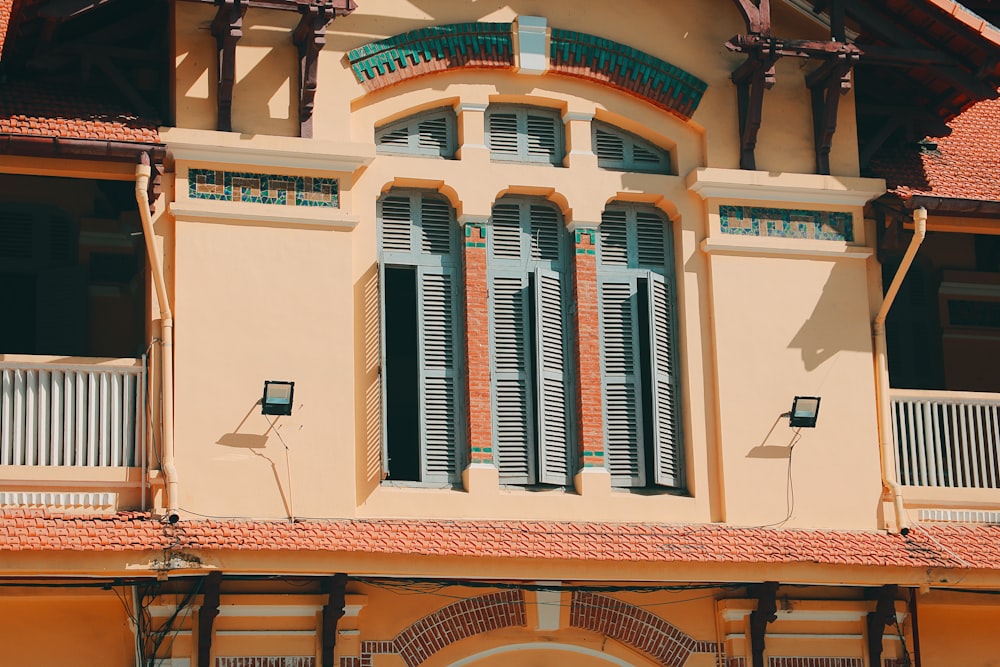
pixel 421 344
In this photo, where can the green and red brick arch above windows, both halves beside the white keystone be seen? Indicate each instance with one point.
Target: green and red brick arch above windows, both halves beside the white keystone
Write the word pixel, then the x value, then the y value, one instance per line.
pixel 490 45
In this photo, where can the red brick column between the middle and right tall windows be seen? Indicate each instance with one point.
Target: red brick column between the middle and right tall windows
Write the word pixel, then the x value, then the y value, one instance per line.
pixel 588 350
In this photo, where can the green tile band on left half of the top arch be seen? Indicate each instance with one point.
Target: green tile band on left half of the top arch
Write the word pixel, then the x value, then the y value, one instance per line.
pixel 455 42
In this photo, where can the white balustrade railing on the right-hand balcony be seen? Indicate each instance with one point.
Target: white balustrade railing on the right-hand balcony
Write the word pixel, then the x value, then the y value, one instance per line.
pixel 946 439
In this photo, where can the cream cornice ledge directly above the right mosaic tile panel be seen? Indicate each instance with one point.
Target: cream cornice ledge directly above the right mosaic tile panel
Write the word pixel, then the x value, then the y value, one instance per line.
pixel 712 182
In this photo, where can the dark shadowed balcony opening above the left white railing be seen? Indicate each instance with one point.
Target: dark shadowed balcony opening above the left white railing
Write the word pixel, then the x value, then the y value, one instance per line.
pixel 71 284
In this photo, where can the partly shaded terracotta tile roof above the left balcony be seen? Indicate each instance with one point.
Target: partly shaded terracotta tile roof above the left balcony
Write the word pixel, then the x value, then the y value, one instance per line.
pixel 39 110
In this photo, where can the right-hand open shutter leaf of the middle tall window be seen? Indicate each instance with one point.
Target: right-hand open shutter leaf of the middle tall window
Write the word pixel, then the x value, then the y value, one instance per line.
pixel 554 455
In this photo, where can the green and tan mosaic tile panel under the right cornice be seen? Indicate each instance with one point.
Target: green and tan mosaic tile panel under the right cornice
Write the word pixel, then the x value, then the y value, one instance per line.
pixel 786 223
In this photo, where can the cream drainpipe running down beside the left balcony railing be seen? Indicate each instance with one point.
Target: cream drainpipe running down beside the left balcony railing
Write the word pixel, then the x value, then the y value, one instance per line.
pixel 142 173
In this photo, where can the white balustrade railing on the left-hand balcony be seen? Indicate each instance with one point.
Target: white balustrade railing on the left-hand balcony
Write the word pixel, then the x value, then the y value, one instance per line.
pixel 72 414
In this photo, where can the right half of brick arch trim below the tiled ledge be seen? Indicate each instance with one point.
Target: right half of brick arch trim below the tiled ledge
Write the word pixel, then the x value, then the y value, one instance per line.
pixel 644 632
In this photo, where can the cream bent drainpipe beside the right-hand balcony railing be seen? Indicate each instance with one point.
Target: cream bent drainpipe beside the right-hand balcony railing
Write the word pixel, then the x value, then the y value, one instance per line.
pixel 882 373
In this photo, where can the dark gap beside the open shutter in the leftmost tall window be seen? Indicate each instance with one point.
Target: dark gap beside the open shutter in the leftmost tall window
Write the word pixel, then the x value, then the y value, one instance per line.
pixel 402 375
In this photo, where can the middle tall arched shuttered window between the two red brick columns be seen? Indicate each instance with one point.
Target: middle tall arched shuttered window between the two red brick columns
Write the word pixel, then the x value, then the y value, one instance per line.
pixel 529 326
